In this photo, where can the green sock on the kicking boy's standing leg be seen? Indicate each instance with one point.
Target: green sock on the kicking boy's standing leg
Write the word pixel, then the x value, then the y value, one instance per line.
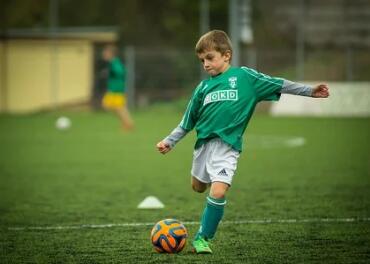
pixel 212 215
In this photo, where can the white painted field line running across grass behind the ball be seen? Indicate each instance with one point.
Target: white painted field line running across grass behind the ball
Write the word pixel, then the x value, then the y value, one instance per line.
pixel 236 222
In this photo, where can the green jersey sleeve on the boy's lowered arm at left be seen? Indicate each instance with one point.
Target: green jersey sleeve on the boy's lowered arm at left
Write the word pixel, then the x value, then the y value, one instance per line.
pixel 191 115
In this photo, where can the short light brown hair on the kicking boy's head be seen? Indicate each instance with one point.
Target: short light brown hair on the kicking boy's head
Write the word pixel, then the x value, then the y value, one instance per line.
pixel 214 40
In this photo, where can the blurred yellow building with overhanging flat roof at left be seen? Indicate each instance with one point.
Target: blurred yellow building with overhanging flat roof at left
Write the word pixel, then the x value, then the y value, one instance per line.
pixel 39 72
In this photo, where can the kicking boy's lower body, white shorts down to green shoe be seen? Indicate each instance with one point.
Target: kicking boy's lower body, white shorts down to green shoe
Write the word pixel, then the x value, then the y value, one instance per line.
pixel 213 162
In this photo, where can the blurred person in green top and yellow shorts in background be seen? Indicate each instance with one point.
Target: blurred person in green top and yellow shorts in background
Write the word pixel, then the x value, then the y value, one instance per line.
pixel 115 97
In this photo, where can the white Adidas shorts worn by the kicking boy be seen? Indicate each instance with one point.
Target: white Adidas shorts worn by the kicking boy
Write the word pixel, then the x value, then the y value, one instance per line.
pixel 215 161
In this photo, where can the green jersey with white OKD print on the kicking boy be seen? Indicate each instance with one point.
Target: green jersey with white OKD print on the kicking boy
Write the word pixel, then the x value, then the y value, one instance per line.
pixel 222 106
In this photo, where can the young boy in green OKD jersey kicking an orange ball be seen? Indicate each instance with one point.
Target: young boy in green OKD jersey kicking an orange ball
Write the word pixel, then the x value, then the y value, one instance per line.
pixel 220 109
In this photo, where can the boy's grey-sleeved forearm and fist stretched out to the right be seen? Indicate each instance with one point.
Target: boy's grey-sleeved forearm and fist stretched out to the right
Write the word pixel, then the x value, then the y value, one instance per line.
pixel 318 91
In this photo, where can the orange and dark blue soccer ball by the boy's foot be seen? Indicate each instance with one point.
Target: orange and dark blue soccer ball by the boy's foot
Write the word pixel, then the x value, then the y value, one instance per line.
pixel 169 236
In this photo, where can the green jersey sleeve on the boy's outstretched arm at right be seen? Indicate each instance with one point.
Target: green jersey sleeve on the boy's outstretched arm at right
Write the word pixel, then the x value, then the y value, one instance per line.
pixel 267 88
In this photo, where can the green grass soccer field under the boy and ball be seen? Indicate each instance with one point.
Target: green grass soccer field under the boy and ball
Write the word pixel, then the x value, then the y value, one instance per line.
pixel 93 174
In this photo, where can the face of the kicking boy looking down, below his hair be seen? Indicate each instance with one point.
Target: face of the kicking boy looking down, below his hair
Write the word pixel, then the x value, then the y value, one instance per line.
pixel 214 62
